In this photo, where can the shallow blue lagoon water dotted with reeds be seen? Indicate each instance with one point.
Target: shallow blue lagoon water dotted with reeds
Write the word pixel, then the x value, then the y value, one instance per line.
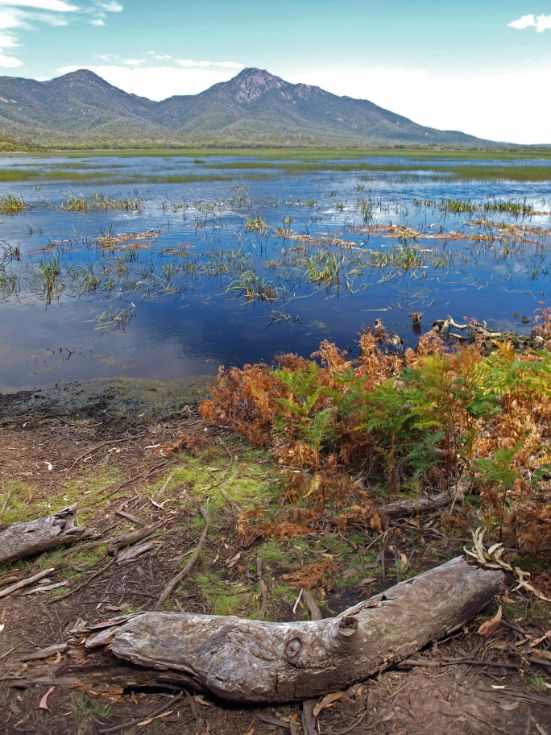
pixel 206 289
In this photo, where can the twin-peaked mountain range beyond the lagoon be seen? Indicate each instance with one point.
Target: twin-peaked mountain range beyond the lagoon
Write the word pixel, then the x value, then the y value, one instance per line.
pixel 253 108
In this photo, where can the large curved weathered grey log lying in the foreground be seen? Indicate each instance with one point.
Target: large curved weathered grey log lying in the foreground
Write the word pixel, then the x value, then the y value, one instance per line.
pixel 254 661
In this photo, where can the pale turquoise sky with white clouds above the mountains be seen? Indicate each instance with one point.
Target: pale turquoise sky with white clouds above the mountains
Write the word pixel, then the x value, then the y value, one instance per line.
pixel 483 67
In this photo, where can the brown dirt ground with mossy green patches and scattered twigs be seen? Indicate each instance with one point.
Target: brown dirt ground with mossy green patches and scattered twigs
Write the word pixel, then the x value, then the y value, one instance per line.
pixel 104 451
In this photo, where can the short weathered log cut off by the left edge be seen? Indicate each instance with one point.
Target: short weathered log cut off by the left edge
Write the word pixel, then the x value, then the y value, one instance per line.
pixel 27 539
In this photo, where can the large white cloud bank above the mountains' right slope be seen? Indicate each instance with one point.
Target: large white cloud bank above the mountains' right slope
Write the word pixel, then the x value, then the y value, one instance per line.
pixel 509 105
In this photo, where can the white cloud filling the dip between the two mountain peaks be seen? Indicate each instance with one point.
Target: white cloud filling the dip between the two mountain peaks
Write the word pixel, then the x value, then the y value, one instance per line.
pixel 160 82
